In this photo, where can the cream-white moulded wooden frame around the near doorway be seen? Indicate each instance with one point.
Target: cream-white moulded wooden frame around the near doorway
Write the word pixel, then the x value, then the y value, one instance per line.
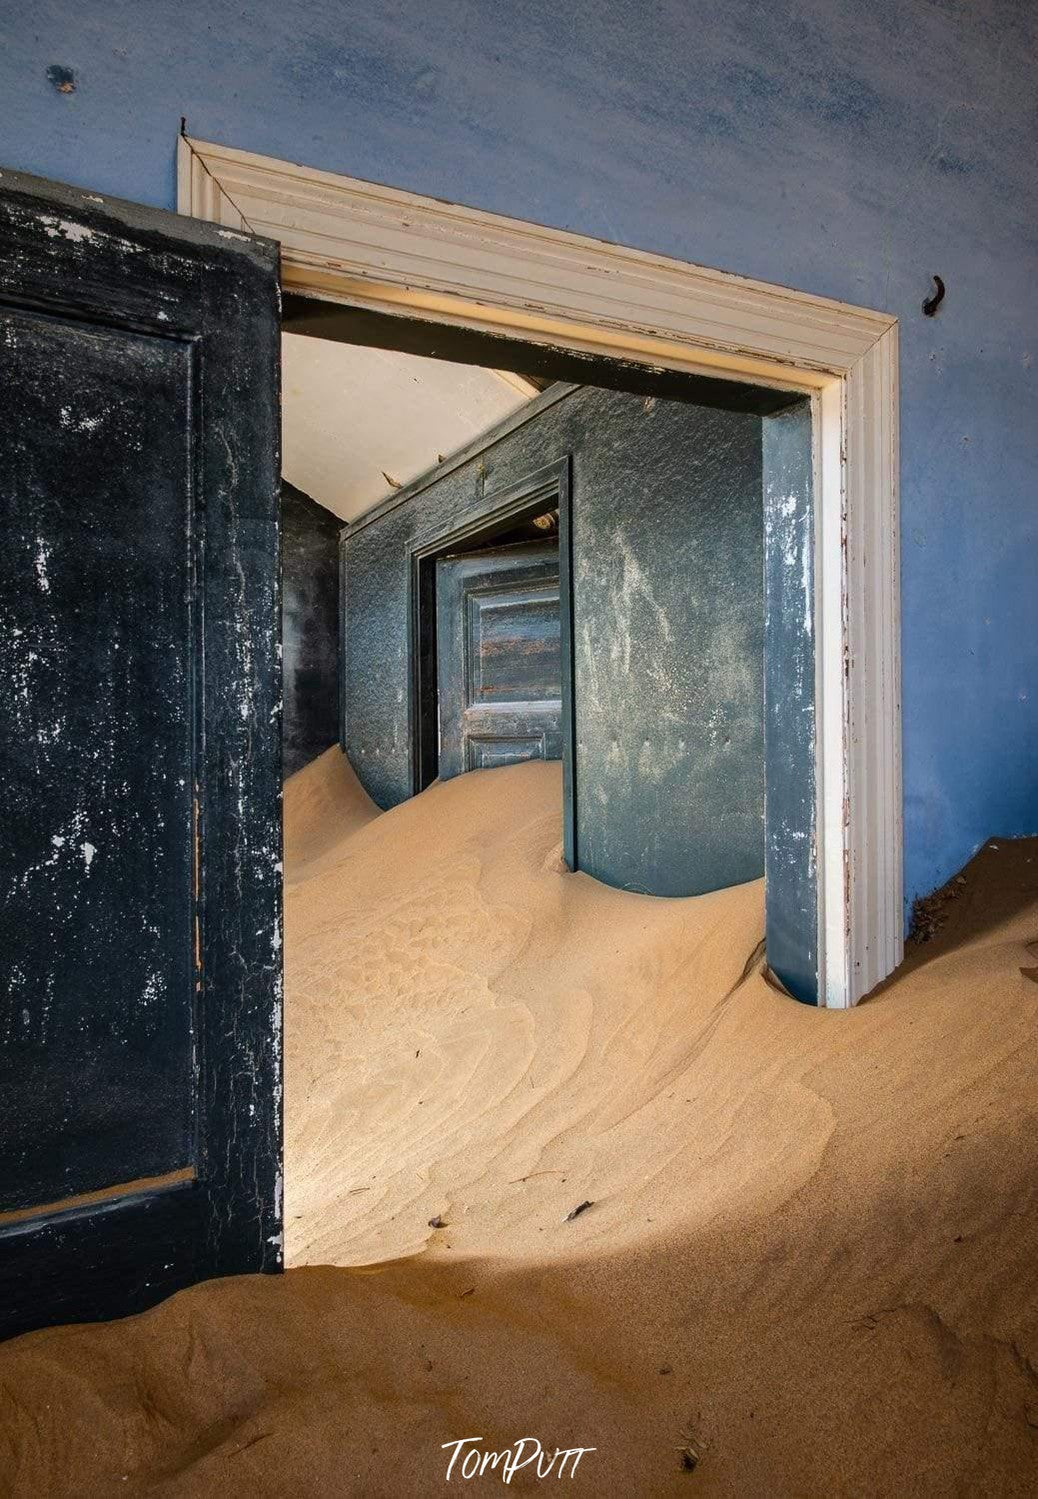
pixel 397 253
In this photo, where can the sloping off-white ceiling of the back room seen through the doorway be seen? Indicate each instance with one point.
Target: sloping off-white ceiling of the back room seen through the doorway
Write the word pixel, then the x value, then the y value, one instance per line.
pixel 359 423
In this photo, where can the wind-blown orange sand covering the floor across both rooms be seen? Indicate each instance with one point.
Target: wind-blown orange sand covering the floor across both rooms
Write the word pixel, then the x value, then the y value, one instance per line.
pixel 811 1266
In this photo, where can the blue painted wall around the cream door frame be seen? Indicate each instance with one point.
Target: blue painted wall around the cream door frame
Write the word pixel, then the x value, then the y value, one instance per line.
pixel 839 148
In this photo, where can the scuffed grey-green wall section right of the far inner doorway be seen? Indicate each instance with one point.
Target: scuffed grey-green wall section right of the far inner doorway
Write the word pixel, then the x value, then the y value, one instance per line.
pixel 668 605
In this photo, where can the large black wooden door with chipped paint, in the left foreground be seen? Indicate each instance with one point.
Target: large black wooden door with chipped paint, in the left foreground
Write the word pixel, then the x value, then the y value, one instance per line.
pixel 140 932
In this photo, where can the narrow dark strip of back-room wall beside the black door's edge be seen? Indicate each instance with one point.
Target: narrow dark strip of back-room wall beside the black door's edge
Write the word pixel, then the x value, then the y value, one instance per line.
pixel 310 627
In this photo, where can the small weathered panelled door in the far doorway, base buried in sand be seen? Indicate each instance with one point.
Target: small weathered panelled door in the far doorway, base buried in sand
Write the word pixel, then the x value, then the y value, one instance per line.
pixel 499 660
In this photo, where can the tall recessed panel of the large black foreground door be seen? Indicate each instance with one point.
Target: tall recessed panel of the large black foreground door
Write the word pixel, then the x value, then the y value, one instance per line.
pixel 97 626
